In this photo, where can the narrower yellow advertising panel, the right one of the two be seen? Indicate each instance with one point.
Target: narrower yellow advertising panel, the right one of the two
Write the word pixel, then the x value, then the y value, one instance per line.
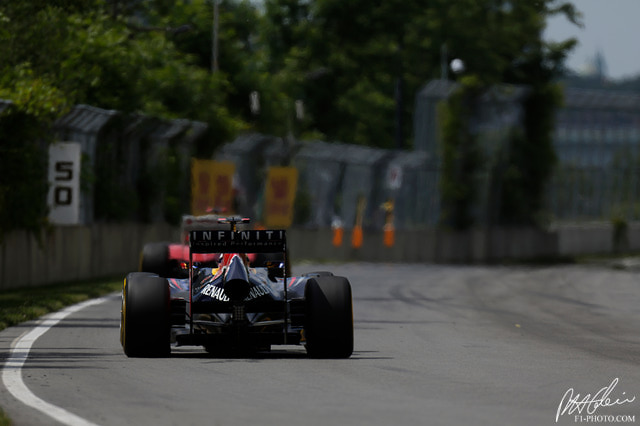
pixel 280 195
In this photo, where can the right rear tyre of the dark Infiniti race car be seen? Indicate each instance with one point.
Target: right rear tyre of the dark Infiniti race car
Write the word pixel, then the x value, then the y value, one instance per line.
pixel 329 317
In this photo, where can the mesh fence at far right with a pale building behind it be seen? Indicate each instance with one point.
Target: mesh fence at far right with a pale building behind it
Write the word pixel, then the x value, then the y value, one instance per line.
pixel 597 141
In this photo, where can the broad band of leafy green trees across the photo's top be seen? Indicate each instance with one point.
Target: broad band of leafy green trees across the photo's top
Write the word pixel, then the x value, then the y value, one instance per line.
pixel 343 59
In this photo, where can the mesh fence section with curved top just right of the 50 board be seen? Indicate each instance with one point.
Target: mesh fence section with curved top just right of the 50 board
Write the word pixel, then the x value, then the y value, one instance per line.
pixel 133 167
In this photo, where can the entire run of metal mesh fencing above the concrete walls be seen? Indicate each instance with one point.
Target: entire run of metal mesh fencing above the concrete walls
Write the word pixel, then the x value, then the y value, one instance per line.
pixel 140 165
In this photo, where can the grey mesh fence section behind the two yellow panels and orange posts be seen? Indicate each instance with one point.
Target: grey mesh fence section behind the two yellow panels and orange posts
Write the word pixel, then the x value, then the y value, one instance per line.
pixel 333 179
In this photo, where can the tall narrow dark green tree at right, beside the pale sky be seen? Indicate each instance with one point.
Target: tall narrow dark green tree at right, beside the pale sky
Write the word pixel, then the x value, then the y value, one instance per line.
pixel 531 157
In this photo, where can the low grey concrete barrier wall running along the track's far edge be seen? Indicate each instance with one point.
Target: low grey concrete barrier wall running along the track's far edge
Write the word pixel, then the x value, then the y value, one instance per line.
pixel 100 250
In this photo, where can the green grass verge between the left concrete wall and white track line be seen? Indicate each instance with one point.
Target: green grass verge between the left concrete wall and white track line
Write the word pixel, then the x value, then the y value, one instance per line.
pixel 24 304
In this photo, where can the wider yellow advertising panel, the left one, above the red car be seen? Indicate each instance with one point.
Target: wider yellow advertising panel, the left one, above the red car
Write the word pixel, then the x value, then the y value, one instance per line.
pixel 211 186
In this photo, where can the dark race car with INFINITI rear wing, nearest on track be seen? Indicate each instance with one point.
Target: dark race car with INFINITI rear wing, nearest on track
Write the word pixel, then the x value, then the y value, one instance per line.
pixel 234 307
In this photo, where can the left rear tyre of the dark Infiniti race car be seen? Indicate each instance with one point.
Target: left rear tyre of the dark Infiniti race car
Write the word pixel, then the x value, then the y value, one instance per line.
pixel 145 328
